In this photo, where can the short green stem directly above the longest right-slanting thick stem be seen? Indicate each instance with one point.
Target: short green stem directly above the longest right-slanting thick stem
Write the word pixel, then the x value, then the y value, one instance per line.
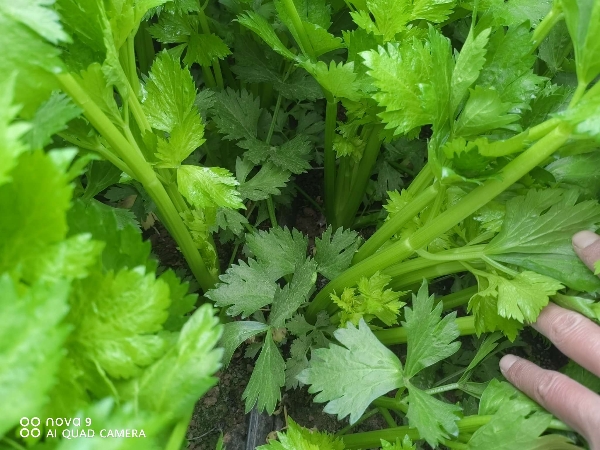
pixel 395 224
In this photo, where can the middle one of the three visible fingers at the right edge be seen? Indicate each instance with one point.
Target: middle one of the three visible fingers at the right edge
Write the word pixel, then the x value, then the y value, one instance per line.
pixel 573 334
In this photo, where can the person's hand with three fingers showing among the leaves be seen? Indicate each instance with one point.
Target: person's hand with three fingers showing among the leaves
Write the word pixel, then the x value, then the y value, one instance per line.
pixel 578 338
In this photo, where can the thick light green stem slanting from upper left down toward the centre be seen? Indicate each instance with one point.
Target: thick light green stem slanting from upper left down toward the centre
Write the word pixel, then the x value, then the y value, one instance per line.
pixel 143 172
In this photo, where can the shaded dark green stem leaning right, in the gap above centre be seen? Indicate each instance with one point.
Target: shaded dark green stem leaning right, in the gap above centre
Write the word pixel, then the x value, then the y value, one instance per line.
pixel 348 211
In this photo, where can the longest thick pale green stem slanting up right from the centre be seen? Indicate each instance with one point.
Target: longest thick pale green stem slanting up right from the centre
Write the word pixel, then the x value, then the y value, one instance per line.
pixel 470 203
